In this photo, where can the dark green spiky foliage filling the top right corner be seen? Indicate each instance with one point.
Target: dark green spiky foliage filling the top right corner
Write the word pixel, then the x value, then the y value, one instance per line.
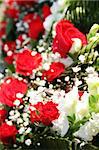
pixel 83 13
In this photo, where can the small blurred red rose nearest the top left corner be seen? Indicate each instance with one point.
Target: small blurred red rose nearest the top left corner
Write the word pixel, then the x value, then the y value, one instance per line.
pixel 12 13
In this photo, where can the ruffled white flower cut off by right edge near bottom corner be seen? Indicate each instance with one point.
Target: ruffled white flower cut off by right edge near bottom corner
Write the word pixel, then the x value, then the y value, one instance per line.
pixel 89 129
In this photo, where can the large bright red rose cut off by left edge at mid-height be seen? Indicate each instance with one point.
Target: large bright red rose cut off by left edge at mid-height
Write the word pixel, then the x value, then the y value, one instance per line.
pixel 9 90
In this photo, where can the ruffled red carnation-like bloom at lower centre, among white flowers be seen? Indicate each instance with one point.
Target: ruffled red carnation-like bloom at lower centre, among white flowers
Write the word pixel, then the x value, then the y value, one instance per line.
pixel 45 113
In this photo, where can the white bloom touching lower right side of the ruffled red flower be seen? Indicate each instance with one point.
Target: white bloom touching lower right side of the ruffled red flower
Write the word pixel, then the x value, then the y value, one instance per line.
pixel 61 125
